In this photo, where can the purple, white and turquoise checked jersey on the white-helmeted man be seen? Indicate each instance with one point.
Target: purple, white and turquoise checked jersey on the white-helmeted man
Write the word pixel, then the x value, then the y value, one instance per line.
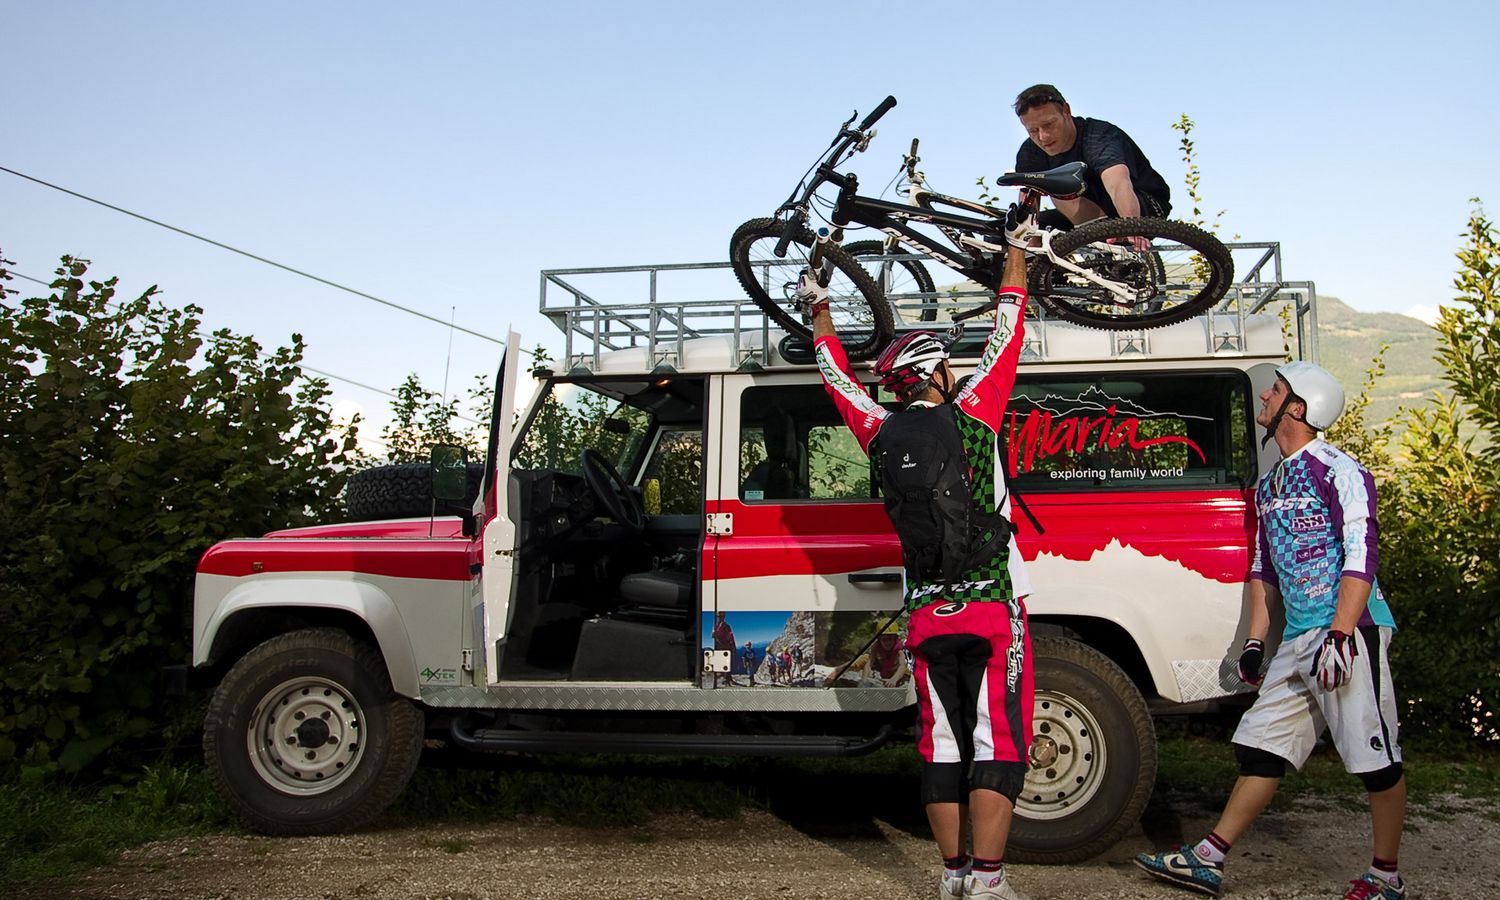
pixel 1318 524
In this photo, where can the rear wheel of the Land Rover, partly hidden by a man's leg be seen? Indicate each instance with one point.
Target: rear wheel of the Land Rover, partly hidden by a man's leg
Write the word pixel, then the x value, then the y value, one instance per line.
pixel 1093 757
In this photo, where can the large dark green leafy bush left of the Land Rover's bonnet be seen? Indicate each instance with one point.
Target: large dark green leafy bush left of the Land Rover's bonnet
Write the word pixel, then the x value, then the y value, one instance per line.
pixel 130 443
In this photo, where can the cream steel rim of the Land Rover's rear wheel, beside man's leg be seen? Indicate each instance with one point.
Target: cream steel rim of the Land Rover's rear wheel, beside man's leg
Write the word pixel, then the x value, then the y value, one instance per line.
pixel 1069 758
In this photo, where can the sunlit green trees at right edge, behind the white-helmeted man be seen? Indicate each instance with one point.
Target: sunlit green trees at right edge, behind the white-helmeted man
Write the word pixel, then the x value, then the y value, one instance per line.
pixel 1439 493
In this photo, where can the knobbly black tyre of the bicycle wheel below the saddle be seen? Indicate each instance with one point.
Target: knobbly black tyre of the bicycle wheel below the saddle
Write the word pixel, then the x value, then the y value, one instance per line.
pixel 1045 286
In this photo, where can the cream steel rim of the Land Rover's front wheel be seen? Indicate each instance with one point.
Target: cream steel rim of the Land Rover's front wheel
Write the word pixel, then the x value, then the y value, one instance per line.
pixel 304 737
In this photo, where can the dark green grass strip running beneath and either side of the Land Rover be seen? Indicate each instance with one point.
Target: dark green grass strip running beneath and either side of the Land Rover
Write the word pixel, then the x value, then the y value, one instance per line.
pixel 50 832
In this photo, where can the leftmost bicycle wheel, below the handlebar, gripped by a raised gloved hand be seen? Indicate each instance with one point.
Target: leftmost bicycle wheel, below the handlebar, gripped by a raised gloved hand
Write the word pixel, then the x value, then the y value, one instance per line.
pixel 860 311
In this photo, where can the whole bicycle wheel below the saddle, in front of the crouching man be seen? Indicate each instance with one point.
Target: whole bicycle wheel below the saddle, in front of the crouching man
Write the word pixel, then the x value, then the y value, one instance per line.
pixel 1186 272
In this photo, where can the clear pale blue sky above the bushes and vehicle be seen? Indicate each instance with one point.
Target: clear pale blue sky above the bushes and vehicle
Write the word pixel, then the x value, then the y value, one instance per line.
pixel 440 155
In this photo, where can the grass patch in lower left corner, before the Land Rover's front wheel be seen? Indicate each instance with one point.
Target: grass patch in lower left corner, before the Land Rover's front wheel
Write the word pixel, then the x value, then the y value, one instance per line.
pixel 52 832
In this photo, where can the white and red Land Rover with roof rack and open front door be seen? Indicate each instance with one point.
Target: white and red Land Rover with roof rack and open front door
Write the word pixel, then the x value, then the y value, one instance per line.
pixel 679 548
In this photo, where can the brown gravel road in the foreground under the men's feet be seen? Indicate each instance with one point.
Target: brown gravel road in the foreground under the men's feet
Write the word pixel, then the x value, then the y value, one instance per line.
pixel 1304 853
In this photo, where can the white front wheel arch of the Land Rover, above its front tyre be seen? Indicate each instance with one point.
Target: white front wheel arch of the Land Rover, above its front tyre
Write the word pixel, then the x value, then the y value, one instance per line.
pixel 254 613
